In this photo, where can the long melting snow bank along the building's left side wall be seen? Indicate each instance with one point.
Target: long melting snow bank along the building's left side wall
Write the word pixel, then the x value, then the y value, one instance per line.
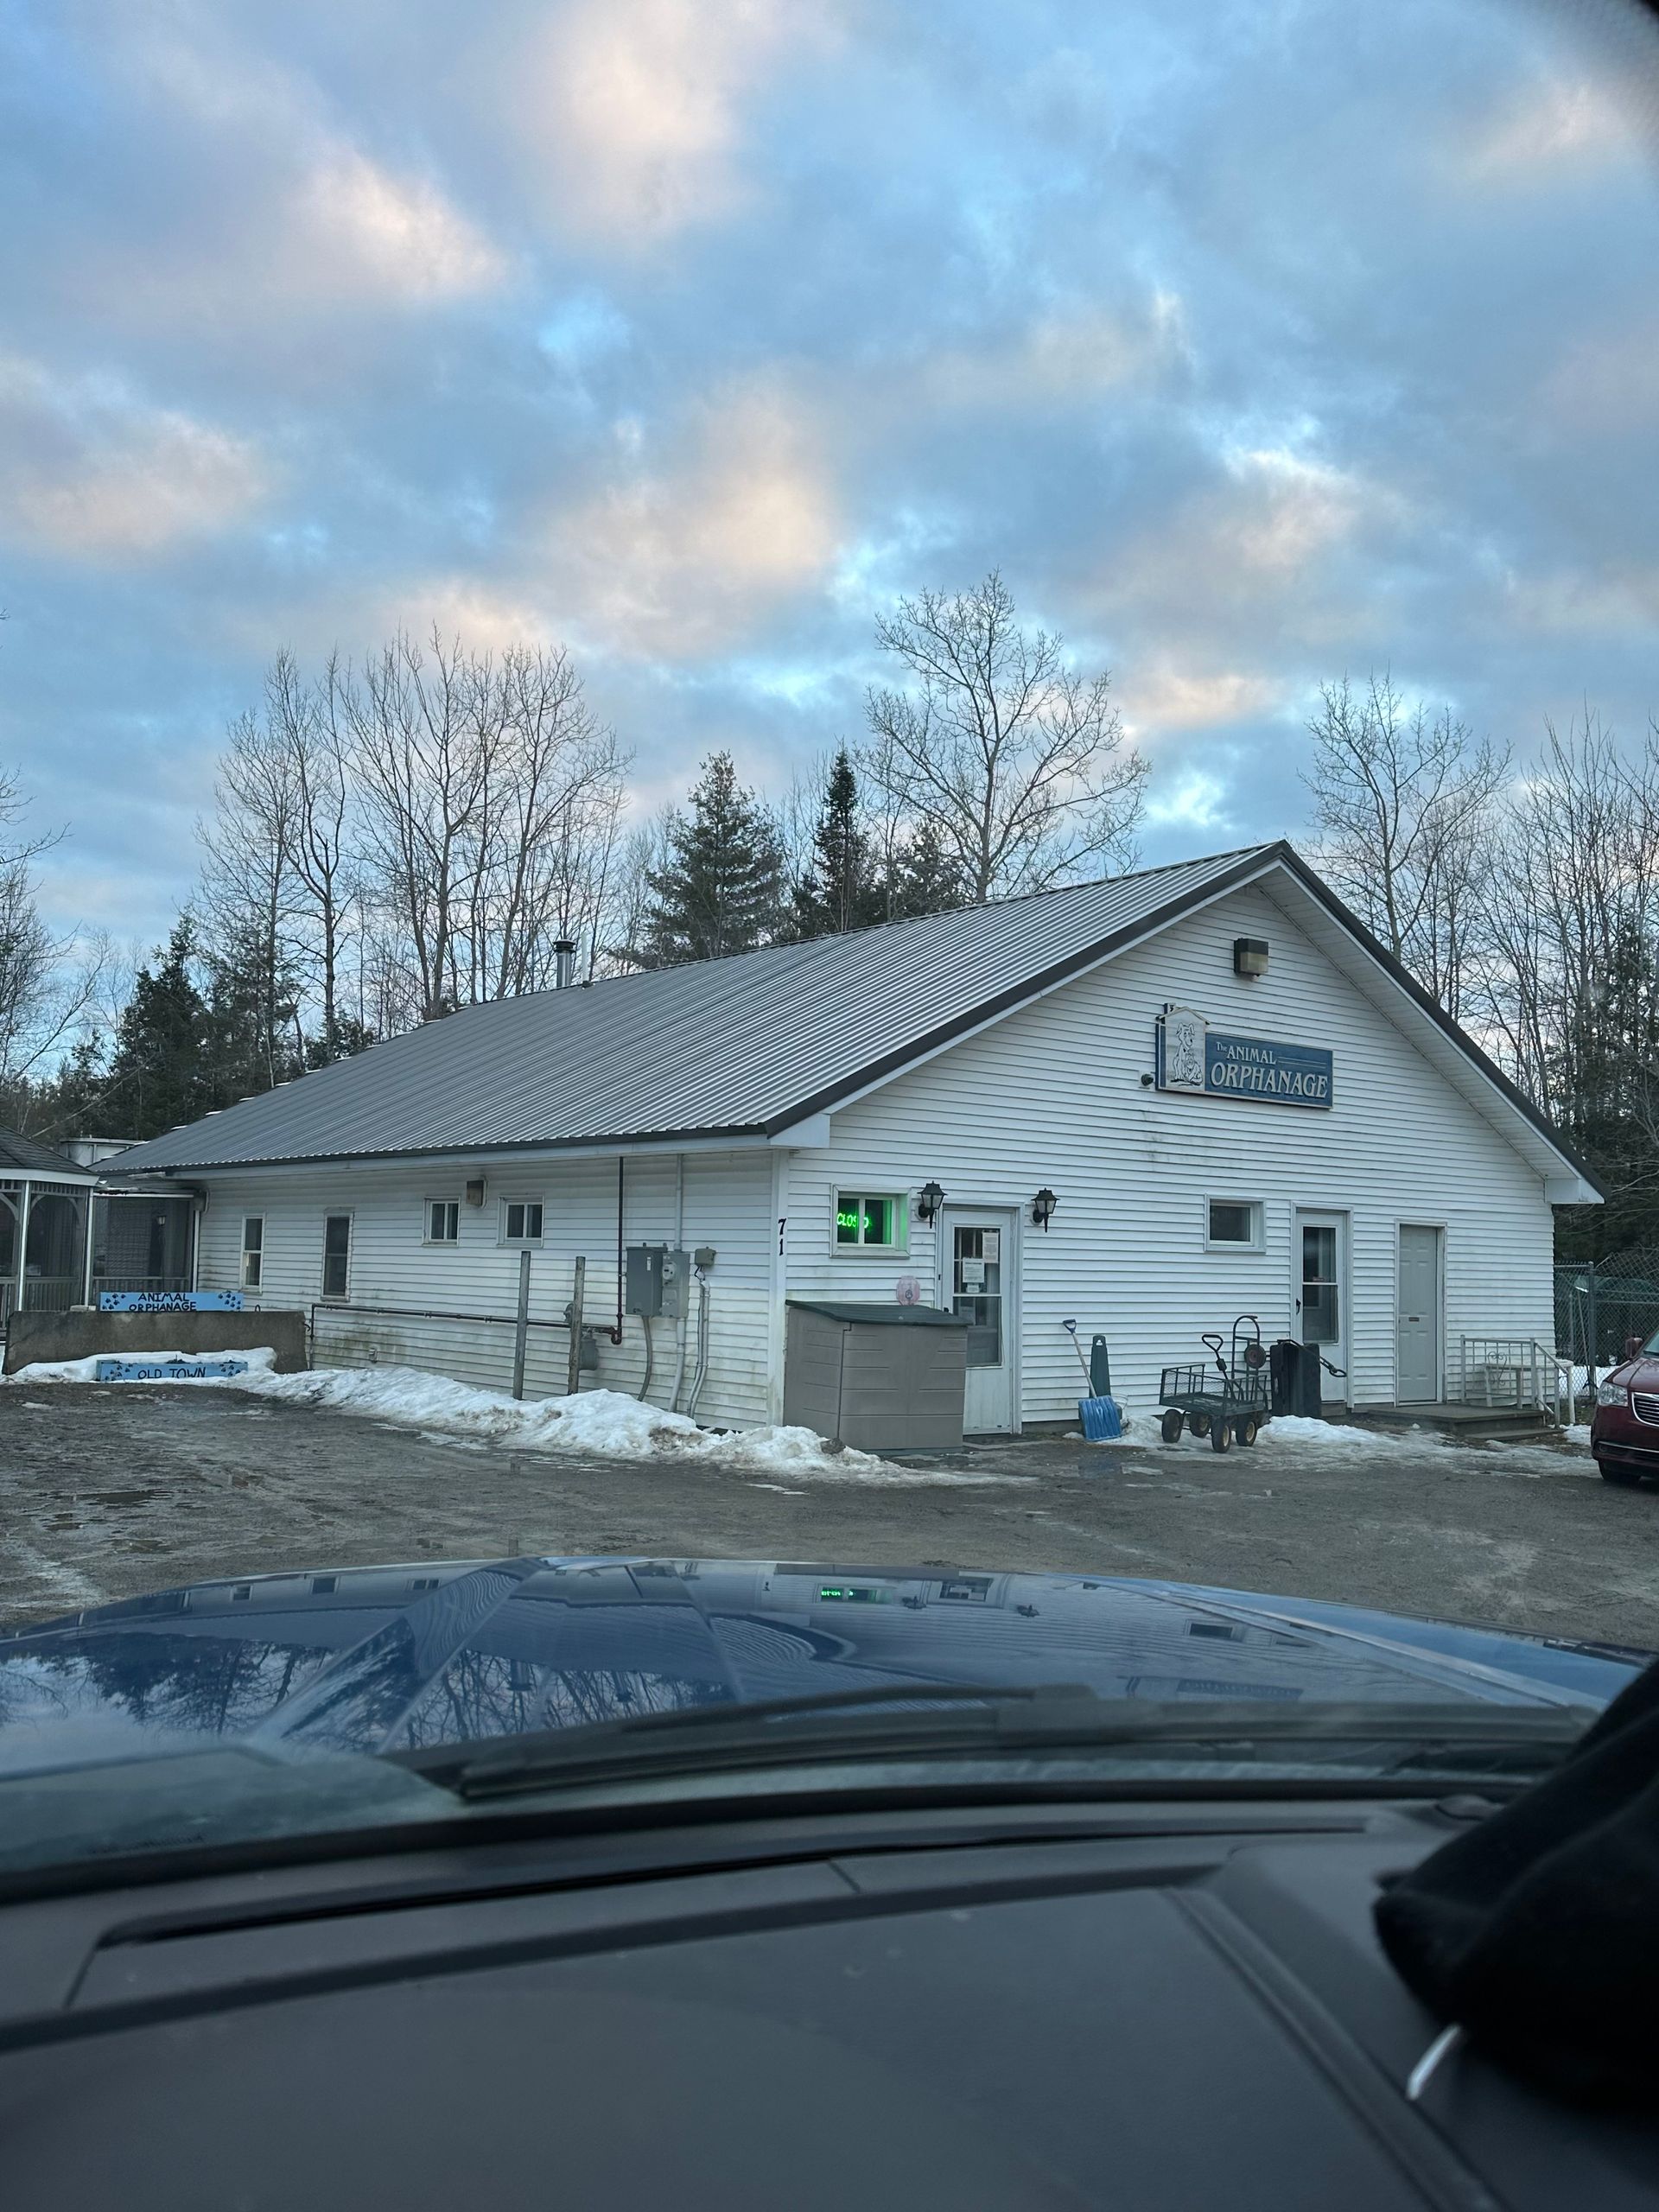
pixel 601 1423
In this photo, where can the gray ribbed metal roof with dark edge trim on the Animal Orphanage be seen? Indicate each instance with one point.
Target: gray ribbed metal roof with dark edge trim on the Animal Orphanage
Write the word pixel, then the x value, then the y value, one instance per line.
pixel 747 1045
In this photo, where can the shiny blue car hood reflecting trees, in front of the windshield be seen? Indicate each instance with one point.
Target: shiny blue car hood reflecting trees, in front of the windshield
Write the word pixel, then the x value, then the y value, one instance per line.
pixel 379 1658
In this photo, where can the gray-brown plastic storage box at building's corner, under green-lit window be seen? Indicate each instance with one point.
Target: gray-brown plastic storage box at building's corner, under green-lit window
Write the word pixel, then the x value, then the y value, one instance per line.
pixel 877 1377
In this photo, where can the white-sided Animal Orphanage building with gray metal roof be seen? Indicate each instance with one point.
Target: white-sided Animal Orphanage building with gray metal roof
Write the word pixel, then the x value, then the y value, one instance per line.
pixel 1147 1105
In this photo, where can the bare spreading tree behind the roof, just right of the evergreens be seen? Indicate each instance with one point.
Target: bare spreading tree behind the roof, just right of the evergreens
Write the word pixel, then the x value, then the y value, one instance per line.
pixel 999 747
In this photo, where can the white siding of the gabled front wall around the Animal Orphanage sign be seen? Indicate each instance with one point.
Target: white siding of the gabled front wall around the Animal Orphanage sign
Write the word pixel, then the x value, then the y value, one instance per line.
pixel 1054 1096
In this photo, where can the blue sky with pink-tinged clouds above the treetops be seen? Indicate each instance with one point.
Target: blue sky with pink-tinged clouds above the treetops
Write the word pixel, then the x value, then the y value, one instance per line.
pixel 1253 342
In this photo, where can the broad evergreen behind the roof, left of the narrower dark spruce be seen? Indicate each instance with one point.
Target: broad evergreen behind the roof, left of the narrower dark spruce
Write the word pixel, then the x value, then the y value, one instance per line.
pixel 722 879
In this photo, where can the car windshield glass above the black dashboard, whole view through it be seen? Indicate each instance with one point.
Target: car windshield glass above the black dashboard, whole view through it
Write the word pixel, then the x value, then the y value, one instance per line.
pixel 828 868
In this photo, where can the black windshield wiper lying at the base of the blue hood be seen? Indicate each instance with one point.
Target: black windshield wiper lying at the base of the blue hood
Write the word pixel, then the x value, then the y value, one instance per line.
pixel 935 1720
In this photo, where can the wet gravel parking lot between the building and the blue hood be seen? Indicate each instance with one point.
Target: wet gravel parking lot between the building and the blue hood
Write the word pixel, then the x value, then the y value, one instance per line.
pixel 114 1492
